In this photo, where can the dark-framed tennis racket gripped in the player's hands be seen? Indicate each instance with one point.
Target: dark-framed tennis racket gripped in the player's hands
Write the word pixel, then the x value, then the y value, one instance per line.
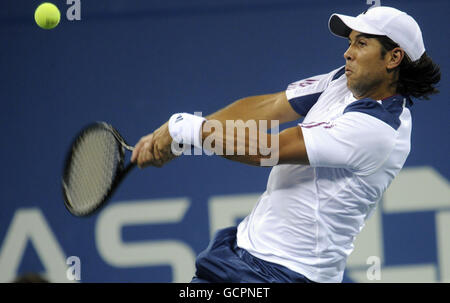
pixel 94 168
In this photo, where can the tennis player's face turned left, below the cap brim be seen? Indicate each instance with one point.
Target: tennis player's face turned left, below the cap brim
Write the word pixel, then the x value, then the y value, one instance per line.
pixel 365 68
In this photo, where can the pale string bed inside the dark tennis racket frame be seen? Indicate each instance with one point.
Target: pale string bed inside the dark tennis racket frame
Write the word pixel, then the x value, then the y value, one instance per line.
pixel 94 162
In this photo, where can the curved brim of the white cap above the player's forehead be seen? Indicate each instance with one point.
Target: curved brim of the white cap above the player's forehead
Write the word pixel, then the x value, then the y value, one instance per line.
pixel 342 26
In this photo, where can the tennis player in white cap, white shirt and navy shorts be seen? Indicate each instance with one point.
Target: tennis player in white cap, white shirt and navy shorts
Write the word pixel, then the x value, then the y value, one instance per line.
pixel 332 168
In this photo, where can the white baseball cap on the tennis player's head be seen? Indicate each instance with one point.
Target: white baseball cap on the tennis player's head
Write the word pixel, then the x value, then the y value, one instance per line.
pixel 386 21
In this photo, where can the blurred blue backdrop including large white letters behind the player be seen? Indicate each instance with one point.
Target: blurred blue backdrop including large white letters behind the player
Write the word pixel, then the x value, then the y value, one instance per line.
pixel 133 64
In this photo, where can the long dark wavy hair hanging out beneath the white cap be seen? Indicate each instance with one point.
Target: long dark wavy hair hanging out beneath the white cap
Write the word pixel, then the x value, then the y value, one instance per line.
pixel 417 79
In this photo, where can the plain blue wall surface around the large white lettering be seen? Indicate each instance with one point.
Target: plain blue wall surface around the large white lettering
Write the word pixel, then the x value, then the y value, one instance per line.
pixel 134 63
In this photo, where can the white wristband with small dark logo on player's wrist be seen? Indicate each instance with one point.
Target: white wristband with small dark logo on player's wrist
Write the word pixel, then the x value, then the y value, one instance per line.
pixel 186 129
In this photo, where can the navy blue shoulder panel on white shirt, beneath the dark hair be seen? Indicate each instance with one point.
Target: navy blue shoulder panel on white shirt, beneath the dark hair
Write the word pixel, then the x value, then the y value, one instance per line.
pixel 388 111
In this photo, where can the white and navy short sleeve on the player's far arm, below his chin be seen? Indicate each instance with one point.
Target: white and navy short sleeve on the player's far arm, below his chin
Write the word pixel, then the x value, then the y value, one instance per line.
pixel 303 94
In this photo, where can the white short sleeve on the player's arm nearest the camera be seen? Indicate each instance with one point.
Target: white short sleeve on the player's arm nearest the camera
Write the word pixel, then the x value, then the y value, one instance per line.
pixel 355 141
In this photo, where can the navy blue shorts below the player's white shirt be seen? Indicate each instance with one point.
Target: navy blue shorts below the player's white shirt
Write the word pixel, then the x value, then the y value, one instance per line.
pixel 224 262
